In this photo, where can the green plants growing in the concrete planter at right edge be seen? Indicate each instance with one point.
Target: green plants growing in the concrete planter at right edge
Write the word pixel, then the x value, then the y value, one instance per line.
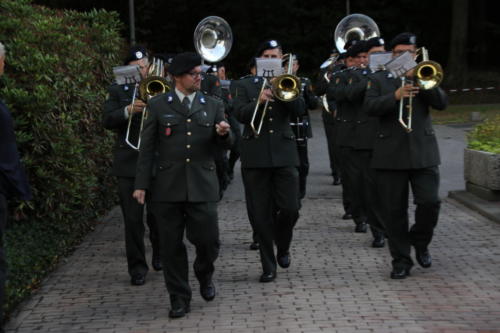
pixel 486 136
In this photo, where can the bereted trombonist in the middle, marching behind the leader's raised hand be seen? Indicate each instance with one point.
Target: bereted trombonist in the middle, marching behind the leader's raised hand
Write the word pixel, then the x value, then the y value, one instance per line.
pixel 269 166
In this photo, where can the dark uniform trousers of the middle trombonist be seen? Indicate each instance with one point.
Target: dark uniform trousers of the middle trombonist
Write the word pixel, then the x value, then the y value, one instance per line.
pixel 272 197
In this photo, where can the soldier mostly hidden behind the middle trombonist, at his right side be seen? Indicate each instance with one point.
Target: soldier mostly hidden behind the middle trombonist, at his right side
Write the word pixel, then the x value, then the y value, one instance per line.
pixel 301 126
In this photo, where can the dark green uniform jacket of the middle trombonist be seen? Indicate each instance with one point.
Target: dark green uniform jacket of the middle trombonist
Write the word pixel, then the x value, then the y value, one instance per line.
pixel 275 146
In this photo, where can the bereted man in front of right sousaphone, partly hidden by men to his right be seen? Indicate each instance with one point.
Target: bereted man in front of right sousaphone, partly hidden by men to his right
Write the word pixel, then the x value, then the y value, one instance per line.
pixel 345 129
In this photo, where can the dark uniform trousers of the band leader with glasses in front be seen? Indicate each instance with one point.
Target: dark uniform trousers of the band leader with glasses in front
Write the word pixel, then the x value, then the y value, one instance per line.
pixel 199 221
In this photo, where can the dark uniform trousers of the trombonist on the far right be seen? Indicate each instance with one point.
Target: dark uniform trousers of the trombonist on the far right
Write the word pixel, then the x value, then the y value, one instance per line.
pixel 393 189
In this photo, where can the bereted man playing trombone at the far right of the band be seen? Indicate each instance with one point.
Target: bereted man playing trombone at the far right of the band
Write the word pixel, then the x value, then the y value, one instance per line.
pixel 404 158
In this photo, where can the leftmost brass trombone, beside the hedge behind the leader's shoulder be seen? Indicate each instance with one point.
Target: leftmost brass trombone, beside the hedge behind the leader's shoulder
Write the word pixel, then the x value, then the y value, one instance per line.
pixel 154 84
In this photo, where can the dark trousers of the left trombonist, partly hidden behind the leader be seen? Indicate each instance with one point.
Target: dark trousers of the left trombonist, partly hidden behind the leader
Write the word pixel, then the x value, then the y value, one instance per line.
pixel 133 214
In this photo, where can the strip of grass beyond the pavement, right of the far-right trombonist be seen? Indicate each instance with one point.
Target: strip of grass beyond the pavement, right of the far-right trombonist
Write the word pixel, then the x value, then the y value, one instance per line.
pixel 456 114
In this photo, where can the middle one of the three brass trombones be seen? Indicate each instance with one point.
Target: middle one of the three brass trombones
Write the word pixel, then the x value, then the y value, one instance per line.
pixel 285 87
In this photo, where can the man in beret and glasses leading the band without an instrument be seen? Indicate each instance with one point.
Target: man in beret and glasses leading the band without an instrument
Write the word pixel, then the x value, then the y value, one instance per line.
pixel 178 142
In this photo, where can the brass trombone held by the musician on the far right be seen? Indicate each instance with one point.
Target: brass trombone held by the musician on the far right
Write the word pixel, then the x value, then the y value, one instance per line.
pixel 428 75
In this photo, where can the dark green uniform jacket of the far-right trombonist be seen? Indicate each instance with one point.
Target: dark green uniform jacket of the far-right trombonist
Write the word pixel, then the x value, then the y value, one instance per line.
pixel 394 148
